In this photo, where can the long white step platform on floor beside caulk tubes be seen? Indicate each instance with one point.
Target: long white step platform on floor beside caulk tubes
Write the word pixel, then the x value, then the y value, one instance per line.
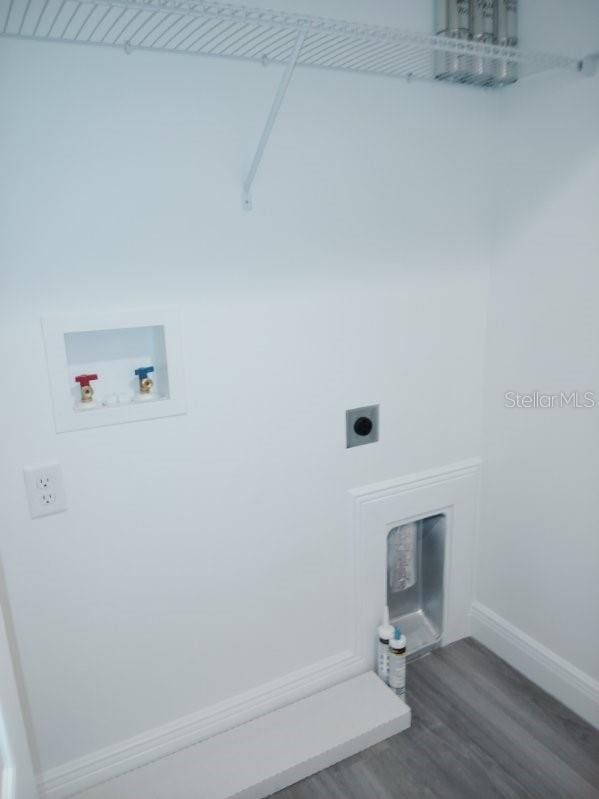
pixel 272 752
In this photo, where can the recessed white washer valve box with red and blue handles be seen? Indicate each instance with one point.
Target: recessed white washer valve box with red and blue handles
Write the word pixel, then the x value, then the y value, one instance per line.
pixel 114 370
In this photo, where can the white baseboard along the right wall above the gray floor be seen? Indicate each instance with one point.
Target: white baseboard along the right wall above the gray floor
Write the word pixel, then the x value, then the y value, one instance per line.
pixel 557 676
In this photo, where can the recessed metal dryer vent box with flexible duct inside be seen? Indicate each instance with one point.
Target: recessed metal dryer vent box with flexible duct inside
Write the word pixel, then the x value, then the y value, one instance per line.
pixel 415 581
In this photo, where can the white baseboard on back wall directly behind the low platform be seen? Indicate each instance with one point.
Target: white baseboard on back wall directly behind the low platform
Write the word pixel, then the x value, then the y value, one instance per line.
pixel 78 775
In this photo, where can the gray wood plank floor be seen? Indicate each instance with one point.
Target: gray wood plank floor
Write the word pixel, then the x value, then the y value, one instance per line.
pixel 479 729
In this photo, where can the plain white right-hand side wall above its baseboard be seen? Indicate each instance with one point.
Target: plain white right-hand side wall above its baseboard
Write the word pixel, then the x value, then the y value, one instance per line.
pixel 539 548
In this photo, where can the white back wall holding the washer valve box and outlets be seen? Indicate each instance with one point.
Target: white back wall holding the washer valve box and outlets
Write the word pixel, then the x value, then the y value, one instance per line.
pixel 205 555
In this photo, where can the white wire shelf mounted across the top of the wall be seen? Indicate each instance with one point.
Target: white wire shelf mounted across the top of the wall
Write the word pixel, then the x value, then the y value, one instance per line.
pixel 220 29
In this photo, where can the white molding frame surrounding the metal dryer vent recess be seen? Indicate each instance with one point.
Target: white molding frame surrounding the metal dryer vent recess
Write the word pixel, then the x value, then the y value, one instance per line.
pixel 450 490
